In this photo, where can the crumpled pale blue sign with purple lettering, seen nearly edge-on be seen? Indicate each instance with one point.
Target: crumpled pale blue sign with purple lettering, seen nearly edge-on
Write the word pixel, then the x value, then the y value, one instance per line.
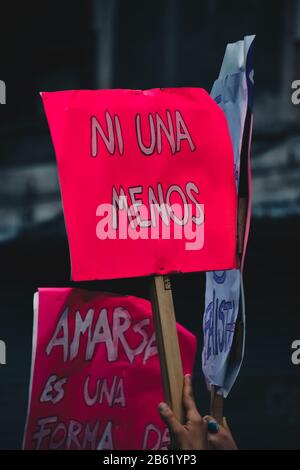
pixel 224 316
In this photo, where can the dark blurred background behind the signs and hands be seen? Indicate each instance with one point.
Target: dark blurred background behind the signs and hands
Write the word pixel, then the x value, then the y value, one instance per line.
pixel 53 45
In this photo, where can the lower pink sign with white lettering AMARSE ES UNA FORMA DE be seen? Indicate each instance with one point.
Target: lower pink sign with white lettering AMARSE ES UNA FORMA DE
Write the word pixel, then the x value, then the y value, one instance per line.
pixel 95 377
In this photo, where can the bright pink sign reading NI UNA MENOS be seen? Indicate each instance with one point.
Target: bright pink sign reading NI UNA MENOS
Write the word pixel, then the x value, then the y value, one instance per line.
pixel 147 181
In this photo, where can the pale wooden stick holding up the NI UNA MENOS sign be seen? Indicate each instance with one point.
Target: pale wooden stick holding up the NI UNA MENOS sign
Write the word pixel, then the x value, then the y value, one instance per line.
pixel 167 343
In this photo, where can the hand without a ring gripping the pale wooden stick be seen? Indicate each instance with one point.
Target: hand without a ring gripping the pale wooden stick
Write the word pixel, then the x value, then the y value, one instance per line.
pixel 193 434
